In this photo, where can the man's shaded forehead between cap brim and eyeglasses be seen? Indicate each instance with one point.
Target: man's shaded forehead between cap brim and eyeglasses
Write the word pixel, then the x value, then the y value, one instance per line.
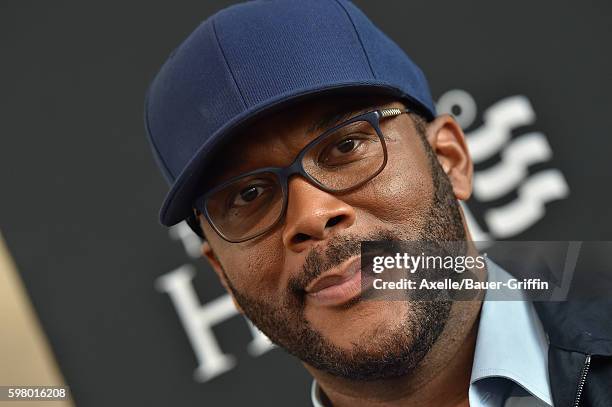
pixel 276 138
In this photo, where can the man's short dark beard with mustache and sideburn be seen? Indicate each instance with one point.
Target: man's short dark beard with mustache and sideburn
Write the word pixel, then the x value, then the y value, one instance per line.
pixel 394 349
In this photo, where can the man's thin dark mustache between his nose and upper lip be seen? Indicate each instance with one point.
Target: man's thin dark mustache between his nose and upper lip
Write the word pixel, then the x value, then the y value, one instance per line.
pixel 339 249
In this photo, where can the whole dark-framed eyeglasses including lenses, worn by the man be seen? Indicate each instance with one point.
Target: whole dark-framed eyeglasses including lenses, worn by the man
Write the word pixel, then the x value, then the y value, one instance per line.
pixel 341 159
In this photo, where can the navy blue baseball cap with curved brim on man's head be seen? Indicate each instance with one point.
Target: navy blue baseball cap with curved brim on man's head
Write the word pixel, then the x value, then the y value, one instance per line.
pixel 250 58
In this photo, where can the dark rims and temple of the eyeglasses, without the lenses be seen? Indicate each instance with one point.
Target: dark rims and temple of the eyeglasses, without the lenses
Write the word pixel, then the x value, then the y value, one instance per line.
pixel 296 167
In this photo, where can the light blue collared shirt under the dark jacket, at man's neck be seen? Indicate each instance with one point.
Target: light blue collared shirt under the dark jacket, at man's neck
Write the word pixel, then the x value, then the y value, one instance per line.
pixel 510 366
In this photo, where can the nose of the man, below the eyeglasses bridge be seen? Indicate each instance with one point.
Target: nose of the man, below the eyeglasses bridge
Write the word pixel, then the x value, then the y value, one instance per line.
pixel 313 215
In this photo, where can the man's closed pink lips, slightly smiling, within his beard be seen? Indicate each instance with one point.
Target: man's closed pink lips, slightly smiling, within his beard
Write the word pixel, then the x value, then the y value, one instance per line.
pixel 338 286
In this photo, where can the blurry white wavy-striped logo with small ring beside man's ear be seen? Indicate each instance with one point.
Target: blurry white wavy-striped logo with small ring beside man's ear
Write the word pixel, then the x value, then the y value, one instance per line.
pixel 493 139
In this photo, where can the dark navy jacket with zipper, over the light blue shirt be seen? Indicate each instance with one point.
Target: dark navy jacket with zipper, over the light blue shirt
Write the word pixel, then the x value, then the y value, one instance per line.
pixel 579 329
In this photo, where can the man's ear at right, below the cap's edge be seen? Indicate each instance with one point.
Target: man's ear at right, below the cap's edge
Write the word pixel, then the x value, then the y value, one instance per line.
pixel 448 143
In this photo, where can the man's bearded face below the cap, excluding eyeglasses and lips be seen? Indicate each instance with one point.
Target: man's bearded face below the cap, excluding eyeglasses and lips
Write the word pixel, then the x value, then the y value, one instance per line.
pixel 271 277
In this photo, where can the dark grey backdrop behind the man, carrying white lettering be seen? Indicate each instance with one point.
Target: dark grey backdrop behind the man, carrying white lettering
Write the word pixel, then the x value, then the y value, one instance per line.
pixel 80 191
